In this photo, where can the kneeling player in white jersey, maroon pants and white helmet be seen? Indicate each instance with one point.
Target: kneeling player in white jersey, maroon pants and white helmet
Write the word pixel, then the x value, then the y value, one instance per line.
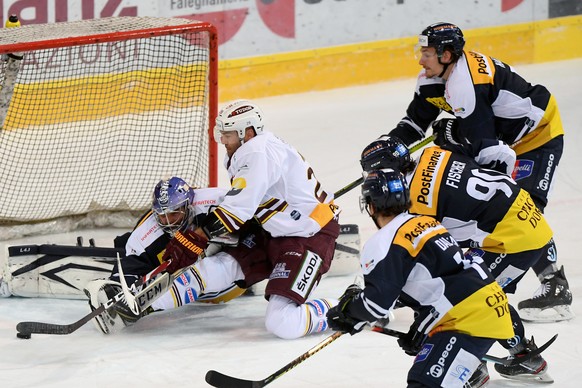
pixel 272 184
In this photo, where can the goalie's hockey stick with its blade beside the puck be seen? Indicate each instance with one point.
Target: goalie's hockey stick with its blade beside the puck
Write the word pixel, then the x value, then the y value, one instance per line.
pixel 27 328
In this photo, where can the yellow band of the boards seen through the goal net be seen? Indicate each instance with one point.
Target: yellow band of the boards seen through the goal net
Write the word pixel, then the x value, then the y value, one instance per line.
pixel 102 96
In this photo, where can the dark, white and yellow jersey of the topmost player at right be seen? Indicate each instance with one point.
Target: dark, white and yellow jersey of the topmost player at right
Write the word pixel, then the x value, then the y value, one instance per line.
pixel 489 99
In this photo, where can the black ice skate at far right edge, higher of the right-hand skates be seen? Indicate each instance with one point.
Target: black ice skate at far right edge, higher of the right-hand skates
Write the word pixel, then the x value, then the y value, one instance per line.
pixel 552 302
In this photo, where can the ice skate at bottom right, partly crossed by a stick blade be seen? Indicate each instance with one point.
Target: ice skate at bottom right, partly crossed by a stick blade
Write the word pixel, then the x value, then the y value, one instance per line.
pixel 534 369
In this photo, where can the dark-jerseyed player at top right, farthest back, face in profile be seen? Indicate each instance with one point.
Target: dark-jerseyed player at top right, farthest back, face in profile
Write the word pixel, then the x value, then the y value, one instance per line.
pixel 491 101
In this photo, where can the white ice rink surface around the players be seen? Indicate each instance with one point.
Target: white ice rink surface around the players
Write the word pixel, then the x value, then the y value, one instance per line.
pixel 177 348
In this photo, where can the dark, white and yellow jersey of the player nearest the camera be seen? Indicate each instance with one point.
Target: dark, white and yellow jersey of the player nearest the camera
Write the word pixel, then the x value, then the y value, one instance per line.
pixel 415 260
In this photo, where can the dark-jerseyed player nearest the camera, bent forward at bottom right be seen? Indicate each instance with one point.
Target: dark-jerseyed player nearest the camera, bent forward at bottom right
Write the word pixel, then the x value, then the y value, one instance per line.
pixel 460 310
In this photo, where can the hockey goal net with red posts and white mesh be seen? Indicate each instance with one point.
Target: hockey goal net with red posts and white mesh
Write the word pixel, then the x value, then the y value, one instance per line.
pixel 96 113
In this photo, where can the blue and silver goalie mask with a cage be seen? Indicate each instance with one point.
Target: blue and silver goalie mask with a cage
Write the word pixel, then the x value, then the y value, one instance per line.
pixel 172 205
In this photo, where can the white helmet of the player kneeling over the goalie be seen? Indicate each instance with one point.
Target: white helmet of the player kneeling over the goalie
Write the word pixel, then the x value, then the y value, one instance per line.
pixel 238 116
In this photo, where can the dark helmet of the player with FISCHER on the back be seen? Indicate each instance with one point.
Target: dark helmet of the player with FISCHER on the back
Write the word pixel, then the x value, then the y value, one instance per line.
pixel 386 152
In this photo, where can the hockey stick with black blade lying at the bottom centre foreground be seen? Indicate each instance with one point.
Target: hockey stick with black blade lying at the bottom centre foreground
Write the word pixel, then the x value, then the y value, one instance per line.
pixel 217 379
